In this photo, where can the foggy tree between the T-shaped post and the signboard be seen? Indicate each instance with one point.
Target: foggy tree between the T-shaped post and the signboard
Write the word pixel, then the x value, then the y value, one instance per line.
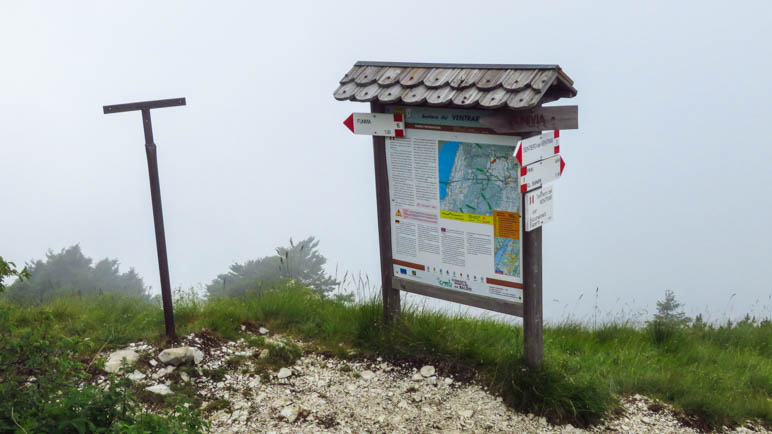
pixel 300 262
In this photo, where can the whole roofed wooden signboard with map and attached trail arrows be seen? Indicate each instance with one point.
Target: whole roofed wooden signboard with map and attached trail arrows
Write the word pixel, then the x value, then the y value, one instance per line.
pixel 451 208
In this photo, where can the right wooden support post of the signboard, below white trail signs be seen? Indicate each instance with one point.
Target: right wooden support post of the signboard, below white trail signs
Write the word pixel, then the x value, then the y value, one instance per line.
pixel 533 334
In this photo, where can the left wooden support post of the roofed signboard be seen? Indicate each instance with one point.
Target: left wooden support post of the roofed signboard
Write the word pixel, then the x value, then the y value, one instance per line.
pixel 390 295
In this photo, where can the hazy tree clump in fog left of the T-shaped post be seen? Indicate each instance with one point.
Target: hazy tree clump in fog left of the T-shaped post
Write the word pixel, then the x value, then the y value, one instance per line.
pixel 69 272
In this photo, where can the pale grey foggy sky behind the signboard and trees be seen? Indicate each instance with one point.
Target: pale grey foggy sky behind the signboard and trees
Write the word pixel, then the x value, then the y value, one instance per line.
pixel 667 182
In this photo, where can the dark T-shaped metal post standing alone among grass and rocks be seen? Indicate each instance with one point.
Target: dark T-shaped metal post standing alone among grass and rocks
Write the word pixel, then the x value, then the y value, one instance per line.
pixel 155 194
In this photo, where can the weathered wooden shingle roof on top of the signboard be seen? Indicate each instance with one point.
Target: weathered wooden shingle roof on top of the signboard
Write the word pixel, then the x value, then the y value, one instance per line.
pixel 455 85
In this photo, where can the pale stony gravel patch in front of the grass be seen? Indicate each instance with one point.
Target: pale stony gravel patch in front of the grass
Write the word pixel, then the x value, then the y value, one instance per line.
pixel 323 394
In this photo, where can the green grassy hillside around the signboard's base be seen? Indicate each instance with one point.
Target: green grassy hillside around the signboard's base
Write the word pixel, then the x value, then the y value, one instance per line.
pixel 718 375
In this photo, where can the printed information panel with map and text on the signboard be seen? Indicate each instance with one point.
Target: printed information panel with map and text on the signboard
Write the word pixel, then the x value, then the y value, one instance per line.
pixel 456 212
